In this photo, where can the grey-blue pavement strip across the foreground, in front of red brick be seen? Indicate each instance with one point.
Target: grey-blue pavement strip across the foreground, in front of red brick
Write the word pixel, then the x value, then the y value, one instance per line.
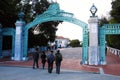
pixel 22 73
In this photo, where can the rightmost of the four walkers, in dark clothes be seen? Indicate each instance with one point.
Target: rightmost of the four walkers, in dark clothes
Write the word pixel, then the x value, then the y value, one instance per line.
pixel 58 59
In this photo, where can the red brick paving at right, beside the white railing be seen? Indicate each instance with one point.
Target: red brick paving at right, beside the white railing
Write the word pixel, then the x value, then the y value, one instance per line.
pixel 113 64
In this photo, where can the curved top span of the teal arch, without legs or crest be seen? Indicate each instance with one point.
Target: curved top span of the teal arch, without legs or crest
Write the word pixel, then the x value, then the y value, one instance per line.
pixel 58 18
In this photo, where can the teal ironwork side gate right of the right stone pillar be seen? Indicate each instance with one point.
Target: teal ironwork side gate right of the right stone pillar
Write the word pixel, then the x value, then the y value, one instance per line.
pixel 106 29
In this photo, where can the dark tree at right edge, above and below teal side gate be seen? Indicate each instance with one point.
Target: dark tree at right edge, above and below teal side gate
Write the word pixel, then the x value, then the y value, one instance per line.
pixel 115 13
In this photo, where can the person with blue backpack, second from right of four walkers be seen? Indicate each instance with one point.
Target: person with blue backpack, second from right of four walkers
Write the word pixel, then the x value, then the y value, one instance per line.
pixel 50 60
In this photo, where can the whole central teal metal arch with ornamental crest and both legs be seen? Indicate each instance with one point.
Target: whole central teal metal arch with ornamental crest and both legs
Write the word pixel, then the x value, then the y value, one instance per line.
pixel 57 15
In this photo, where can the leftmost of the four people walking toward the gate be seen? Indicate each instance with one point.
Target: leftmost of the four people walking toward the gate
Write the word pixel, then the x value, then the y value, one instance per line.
pixel 36 58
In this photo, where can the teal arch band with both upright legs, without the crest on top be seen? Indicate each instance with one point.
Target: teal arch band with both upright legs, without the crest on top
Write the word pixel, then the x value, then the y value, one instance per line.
pixel 59 18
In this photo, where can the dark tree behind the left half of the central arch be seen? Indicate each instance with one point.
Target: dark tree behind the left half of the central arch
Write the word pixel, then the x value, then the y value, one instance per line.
pixel 32 8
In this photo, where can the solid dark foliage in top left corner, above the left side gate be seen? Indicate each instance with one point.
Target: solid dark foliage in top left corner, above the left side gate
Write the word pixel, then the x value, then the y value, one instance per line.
pixel 8 12
